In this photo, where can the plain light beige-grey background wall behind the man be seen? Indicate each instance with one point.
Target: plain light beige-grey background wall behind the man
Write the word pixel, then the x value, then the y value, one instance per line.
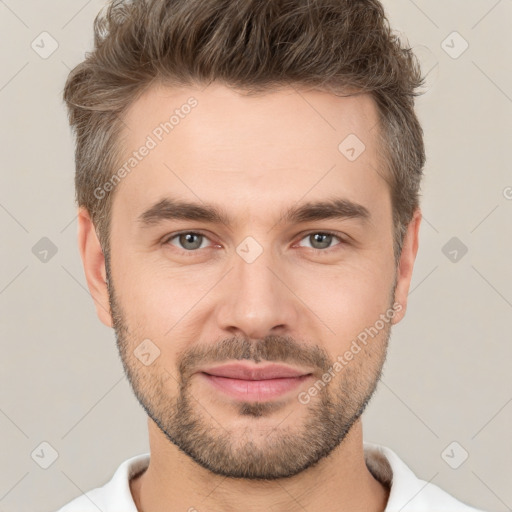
pixel 447 377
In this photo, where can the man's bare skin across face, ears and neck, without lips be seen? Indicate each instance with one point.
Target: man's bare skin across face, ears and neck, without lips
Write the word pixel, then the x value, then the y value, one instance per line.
pixel 299 302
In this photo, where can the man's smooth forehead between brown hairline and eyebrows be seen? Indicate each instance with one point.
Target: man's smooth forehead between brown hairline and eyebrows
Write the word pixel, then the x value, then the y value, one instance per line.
pixel 250 152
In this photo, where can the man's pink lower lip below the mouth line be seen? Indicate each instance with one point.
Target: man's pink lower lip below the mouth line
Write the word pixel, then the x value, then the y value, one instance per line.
pixel 255 390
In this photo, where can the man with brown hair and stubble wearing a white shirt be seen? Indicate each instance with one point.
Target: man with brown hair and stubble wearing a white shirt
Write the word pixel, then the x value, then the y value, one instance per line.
pixel 247 174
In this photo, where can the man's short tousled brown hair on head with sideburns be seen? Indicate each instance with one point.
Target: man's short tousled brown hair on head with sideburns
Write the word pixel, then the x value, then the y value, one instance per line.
pixel 253 46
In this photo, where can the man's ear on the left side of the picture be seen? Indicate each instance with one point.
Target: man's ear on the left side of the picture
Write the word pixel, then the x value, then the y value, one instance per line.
pixel 94 265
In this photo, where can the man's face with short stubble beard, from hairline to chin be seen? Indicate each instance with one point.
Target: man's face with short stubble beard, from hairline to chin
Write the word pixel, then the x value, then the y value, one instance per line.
pixel 189 292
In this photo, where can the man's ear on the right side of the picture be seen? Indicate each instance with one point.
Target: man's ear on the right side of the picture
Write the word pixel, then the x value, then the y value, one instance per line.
pixel 406 264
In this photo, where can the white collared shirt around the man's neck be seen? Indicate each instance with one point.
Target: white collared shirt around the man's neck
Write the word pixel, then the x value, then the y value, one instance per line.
pixel 408 493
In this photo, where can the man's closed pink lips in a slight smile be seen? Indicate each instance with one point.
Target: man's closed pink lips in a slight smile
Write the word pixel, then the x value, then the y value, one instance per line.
pixel 254 383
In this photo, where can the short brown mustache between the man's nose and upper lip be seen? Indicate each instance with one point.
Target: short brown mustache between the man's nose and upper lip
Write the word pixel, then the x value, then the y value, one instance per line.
pixel 272 348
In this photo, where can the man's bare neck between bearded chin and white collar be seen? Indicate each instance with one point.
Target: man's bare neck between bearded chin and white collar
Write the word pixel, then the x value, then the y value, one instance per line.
pixel 340 482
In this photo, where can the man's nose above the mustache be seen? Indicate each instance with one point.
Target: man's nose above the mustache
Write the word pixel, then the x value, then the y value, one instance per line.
pixel 257 299
